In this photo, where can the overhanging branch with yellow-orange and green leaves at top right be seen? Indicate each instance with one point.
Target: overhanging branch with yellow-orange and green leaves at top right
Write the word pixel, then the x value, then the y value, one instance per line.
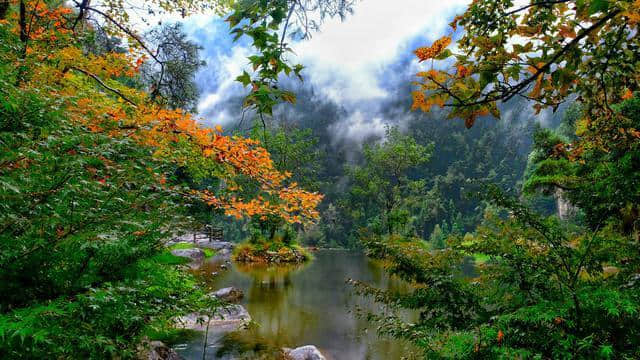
pixel 545 51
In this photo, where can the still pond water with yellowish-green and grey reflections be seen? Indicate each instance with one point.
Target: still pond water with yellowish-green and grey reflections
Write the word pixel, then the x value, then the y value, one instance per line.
pixel 300 305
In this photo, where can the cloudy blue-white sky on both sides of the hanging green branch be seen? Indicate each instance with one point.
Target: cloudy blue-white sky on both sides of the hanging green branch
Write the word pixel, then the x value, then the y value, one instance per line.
pixel 359 63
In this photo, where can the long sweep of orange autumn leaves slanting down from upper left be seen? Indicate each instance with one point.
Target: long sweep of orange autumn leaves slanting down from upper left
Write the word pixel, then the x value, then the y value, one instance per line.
pixel 91 88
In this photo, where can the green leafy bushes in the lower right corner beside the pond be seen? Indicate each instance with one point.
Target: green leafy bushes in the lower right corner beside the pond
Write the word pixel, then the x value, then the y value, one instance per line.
pixel 543 293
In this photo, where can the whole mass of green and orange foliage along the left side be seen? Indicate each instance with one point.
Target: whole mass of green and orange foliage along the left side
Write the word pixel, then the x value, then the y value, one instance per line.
pixel 99 167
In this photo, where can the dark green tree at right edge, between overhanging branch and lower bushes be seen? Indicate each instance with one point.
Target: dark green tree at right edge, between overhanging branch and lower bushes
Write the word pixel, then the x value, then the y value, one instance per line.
pixel 603 180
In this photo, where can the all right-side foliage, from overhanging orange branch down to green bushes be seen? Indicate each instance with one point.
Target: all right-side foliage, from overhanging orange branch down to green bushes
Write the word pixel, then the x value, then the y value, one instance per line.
pixel 559 286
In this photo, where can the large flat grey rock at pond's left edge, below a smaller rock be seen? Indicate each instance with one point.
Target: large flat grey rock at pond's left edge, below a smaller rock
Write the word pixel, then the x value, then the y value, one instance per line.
pixel 230 317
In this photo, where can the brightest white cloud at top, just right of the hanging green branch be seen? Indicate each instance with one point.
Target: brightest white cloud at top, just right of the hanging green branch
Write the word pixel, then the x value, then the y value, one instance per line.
pixel 345 58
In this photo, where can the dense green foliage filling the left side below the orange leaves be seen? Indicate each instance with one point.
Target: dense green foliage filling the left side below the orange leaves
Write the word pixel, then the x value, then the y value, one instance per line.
pixel 83 270
